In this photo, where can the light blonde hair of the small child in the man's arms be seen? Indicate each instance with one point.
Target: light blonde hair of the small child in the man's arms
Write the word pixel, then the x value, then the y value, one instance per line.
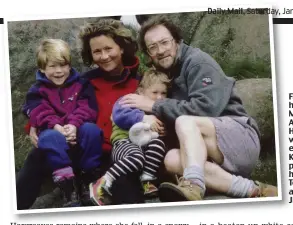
pixel 151 77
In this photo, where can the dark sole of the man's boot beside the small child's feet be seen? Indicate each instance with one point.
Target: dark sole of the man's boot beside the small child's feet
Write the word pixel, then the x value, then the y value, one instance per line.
pixel 169 193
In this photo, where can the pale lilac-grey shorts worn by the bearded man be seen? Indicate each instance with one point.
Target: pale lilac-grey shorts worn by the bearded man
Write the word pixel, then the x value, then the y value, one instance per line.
pixel 239 144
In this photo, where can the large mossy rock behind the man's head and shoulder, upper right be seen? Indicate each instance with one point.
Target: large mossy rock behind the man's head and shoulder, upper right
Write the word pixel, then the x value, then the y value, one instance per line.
pixel 242 53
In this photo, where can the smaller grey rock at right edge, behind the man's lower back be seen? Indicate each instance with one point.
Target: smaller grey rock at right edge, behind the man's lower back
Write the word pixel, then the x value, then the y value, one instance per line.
pixel 257 98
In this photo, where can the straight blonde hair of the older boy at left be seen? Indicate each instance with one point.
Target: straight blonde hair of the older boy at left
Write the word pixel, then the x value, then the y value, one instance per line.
pixel 55 50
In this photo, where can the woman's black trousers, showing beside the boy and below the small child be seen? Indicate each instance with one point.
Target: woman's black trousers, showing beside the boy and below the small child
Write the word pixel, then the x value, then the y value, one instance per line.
pixel 125 190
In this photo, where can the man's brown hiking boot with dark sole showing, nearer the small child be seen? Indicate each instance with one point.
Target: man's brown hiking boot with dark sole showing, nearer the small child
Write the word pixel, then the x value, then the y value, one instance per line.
pixel 184 191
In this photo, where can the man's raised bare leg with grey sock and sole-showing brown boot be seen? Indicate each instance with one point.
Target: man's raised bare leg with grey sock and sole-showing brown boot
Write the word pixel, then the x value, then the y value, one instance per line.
pixel 192 185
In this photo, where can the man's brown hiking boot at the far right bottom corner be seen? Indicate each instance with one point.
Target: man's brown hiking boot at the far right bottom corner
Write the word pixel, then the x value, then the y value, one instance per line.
pixel 264 190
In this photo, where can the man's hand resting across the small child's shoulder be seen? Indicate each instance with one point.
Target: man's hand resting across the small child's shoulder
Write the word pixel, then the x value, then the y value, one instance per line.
pixel 137 101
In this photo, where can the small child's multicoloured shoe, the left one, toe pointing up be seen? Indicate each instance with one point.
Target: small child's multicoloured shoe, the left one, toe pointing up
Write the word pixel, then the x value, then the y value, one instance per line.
pixel 100 193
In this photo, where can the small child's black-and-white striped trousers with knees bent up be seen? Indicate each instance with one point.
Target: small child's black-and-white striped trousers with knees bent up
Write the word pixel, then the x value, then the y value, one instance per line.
pixel 129 157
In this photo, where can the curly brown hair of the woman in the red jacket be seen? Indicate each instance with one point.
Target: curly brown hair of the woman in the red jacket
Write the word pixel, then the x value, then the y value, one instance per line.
pixel 110 28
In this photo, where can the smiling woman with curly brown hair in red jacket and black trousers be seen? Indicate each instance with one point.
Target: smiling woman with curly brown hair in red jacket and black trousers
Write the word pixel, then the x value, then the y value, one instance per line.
pixel 111 47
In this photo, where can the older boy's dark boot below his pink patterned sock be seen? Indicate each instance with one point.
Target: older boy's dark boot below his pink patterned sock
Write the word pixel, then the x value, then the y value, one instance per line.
pixel 70 193
